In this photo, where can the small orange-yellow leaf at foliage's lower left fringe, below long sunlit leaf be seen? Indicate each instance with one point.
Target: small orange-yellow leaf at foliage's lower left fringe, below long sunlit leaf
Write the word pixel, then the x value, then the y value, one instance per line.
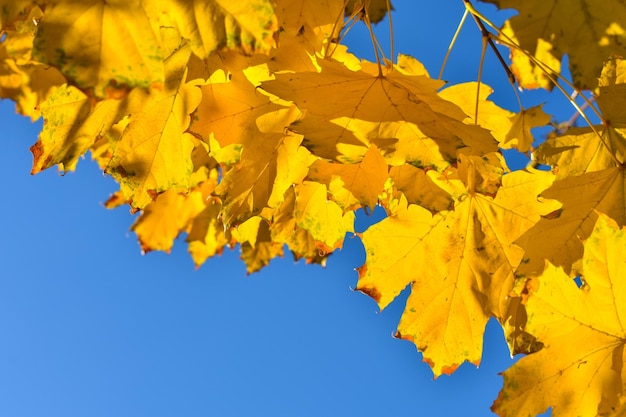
pixel 162 220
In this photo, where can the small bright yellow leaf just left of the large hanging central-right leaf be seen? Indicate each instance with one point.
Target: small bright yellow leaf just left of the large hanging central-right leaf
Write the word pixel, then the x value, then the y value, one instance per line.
pixel 323 219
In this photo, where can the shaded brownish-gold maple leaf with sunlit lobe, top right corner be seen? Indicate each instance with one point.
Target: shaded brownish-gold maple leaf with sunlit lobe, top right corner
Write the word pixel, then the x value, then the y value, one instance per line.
pixel 587 31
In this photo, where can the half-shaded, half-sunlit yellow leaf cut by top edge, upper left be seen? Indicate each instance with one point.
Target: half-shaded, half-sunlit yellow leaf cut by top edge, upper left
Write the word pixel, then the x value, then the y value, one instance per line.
pixel 100 44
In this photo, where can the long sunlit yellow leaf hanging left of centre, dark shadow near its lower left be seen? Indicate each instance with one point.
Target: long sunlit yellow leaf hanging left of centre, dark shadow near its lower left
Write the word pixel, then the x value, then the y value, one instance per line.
pixel 154 152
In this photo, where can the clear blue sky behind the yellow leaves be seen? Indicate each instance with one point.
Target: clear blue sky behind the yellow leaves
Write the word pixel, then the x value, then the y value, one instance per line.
pixel 90 327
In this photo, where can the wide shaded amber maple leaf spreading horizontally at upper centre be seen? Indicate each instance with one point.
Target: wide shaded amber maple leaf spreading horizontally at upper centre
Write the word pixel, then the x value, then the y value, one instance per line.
pixel 384 101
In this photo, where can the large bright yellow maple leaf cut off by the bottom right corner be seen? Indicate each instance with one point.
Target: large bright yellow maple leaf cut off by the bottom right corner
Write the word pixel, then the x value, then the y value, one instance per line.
pixel 573 377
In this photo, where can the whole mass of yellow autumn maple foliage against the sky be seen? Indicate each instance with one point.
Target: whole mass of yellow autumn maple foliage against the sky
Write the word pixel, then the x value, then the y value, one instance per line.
pixel 250 123
